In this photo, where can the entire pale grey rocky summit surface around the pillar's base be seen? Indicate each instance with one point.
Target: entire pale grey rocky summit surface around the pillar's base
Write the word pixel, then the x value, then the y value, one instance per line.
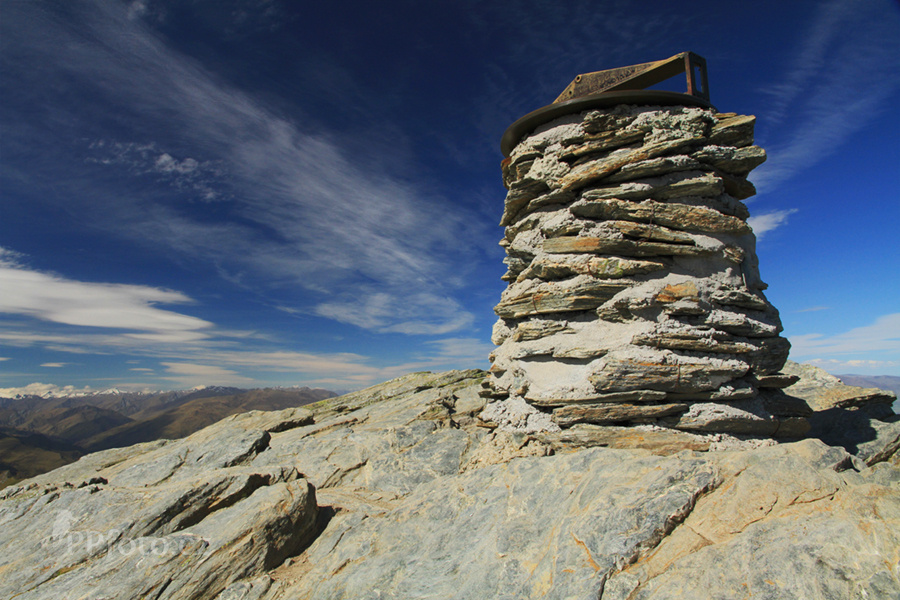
pixel 403 491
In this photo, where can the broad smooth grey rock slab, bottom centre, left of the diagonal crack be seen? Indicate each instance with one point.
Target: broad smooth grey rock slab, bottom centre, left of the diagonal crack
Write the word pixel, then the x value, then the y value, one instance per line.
pixel 501 543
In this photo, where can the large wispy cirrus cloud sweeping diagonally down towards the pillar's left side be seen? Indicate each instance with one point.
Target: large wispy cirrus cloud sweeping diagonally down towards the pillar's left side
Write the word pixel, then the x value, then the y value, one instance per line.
pixel 302 211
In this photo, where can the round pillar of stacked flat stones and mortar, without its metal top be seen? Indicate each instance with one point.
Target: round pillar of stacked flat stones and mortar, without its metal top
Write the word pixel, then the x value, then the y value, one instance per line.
pixel 634 295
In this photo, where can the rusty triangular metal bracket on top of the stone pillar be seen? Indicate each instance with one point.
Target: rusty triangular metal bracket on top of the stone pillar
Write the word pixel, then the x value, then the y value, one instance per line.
pixel 642 76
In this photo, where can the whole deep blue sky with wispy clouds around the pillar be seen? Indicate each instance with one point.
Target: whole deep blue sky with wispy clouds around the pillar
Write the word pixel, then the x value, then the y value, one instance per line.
pixel 275 192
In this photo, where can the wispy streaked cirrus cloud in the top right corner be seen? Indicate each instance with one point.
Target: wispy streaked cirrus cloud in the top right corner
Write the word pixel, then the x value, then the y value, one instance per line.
pixel 847 66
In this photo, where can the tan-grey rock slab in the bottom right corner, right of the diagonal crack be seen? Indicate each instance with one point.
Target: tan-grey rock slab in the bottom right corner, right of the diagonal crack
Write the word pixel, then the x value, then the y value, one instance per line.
pixel 784 525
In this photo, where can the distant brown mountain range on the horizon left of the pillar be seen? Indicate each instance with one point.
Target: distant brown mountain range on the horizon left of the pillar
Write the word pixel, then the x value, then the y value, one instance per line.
pixel 39 433
